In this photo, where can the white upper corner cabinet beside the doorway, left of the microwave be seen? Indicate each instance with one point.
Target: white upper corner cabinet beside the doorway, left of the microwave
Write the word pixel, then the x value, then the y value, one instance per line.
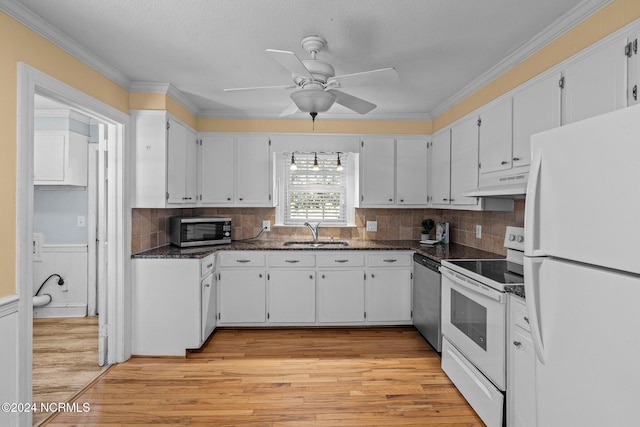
pixel 165 161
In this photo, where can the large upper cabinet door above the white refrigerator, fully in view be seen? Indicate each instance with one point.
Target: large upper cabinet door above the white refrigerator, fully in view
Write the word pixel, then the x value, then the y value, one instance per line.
pixel 596 84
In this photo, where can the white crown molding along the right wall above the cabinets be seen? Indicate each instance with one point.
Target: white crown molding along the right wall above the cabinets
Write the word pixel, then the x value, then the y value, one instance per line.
pixel 563 24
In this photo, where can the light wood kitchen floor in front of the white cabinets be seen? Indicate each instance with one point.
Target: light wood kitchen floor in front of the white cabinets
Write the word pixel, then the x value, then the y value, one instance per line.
pixel 283 377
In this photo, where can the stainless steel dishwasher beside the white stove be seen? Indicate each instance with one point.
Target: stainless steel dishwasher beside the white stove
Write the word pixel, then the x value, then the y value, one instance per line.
pixel 426 299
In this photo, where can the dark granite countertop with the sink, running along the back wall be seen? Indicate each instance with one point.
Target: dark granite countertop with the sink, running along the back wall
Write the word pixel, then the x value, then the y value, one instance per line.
pixel 436 252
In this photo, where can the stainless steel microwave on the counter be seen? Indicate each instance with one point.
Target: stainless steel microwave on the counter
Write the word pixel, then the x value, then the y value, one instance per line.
pixel 199 231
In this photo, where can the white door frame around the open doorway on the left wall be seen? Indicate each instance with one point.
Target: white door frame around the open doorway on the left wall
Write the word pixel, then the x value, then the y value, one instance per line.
pixel 118 293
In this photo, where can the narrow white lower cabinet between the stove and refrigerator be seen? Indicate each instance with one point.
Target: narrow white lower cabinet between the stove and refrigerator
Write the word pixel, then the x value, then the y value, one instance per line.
pixel 521 397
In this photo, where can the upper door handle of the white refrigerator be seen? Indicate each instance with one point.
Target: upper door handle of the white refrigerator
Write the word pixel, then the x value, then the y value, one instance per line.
pixel 531 219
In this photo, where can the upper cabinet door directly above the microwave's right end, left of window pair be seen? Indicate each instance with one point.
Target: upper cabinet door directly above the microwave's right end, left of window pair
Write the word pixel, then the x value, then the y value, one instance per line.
pixel 216 169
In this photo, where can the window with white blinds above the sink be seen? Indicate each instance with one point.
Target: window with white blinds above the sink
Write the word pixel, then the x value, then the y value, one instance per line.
pixel 316 195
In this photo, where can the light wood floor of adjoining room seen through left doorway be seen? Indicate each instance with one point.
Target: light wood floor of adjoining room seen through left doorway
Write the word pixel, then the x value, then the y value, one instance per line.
pixel 65 359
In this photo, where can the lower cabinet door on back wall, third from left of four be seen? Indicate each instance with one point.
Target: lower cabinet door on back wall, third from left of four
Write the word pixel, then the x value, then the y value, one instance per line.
pixel 341 296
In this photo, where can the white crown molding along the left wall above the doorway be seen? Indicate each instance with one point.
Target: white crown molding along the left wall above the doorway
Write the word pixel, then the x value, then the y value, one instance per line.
pixel 32 21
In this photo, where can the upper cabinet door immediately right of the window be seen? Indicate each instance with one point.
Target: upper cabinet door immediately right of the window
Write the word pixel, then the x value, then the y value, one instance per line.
pixel 377 161
